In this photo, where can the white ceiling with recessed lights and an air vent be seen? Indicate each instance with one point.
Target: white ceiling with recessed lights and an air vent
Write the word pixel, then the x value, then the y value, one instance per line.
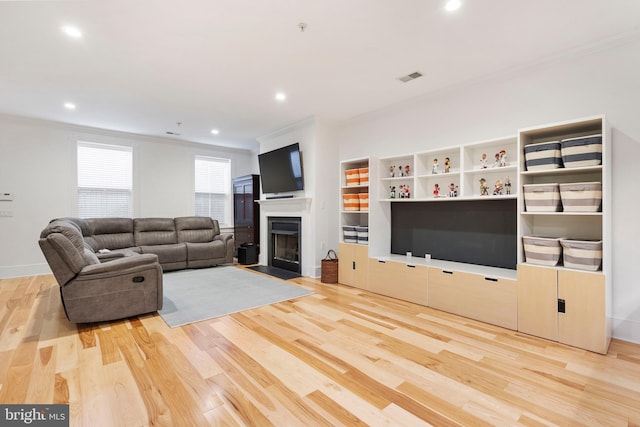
pixel 143 66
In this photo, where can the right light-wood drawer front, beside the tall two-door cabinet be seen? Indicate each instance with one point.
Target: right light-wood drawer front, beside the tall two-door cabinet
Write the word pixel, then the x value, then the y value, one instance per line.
pixel 488 299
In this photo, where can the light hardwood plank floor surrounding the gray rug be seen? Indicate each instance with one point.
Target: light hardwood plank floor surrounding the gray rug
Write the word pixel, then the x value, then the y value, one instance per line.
pixel 339 357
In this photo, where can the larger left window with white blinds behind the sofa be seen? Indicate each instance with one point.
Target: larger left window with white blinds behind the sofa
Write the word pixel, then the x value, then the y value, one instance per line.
pixel 105 181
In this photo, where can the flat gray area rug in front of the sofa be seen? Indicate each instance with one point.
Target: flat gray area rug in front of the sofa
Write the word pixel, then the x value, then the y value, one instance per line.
pixel 194 295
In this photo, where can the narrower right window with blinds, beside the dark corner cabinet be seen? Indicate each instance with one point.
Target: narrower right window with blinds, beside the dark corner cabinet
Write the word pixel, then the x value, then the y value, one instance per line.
pixel 213 189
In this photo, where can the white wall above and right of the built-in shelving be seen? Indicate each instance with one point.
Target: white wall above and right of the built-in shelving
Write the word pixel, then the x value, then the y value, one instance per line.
pixel 583 84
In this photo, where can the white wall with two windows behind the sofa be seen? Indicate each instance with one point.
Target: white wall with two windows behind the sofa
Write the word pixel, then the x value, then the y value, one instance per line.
pixel 37 165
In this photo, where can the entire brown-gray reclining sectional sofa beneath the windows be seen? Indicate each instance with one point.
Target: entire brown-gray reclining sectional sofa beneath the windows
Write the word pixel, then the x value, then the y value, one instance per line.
pixel 112 268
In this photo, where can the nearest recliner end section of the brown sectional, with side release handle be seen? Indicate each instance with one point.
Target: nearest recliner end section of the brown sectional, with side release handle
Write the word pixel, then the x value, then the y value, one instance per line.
pixel 92 291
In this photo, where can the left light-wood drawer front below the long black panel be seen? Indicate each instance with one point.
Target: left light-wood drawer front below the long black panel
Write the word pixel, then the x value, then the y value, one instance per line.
pixel 399 280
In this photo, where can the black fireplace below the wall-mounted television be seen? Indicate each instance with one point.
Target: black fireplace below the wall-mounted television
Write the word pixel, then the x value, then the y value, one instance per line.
pixel 284 243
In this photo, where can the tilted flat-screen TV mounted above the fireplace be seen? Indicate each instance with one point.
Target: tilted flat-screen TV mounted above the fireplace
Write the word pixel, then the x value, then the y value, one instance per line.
pixel 281 170
